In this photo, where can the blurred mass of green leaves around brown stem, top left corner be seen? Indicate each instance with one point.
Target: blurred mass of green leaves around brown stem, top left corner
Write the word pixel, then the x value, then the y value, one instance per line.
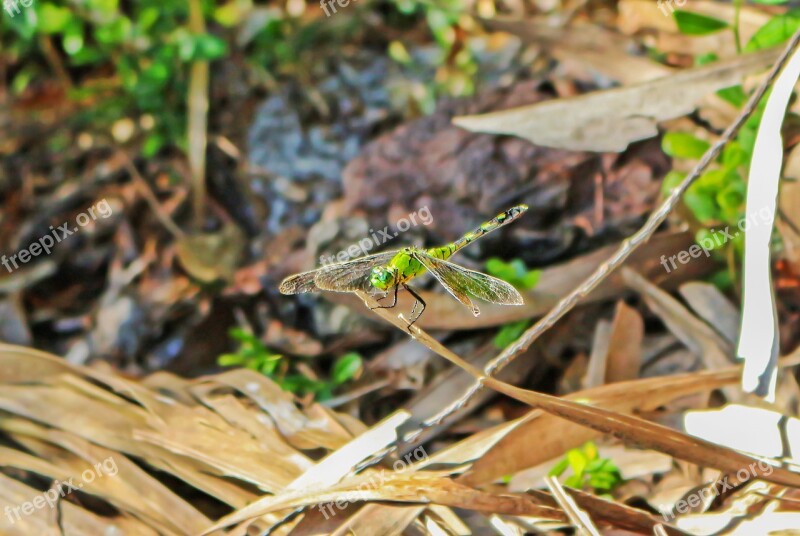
pixel 144 46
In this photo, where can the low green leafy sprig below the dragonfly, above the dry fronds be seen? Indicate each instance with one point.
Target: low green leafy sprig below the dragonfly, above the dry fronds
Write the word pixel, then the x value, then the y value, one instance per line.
pixel 253 354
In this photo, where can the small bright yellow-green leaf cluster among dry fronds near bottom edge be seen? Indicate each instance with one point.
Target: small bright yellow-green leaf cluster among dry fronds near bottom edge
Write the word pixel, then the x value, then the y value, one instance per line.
pixel 588 470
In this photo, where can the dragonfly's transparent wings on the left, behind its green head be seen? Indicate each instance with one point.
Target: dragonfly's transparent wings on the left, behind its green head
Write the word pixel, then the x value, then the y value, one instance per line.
pixel 341 277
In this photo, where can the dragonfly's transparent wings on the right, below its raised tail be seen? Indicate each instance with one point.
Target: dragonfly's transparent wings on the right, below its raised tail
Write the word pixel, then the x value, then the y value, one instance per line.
pixel 461 282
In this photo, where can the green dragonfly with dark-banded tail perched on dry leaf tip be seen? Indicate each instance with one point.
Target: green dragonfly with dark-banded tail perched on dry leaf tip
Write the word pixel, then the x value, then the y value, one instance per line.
pixel 391 270
